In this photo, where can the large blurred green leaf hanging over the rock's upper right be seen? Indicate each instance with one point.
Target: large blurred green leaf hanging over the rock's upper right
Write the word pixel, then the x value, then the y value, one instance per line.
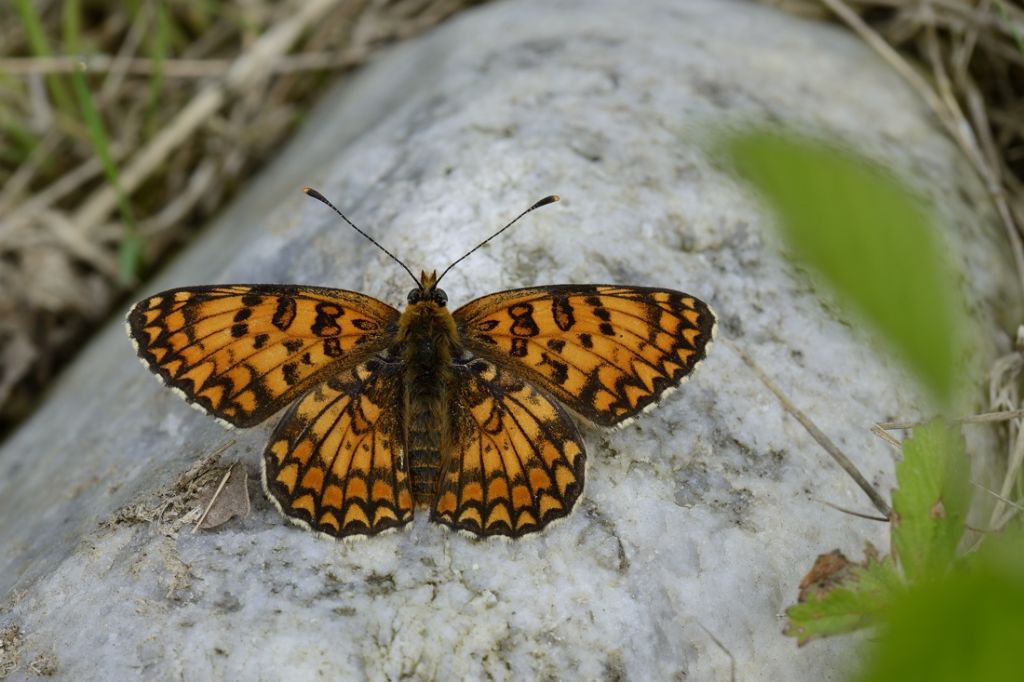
pixel 869 238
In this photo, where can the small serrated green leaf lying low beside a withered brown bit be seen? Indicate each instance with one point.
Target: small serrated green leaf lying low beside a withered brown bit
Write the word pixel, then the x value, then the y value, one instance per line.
pixel 857 602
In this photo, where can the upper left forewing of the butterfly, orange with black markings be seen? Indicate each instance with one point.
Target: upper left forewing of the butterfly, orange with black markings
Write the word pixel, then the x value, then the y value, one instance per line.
pixel 242 353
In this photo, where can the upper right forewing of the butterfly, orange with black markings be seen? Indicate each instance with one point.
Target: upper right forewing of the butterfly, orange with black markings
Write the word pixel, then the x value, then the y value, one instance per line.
pixel 607 352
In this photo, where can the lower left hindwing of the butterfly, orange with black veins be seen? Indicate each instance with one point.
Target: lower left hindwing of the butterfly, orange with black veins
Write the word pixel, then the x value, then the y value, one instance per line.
pixel 335 462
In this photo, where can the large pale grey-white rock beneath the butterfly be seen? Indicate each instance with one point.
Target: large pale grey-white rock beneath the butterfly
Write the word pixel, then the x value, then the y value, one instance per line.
pixel 697 523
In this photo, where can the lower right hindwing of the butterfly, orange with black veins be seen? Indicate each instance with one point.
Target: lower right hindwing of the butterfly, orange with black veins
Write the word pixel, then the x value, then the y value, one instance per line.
pixel 516 461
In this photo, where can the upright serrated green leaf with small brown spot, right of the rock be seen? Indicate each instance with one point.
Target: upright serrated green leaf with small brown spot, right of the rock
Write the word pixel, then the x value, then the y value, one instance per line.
pixel 931 502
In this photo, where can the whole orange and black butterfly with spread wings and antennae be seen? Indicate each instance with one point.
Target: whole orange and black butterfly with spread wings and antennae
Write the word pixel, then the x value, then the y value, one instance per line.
pixel 466 414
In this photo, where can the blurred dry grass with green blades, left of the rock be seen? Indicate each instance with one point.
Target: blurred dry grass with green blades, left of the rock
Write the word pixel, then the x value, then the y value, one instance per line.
pixel 126 125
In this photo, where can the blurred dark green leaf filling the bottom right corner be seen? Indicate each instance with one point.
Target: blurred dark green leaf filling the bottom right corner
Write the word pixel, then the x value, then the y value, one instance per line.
pixel 968 626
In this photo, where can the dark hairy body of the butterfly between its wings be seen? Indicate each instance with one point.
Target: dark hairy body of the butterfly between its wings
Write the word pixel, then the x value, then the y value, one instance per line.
pixel 428 339
